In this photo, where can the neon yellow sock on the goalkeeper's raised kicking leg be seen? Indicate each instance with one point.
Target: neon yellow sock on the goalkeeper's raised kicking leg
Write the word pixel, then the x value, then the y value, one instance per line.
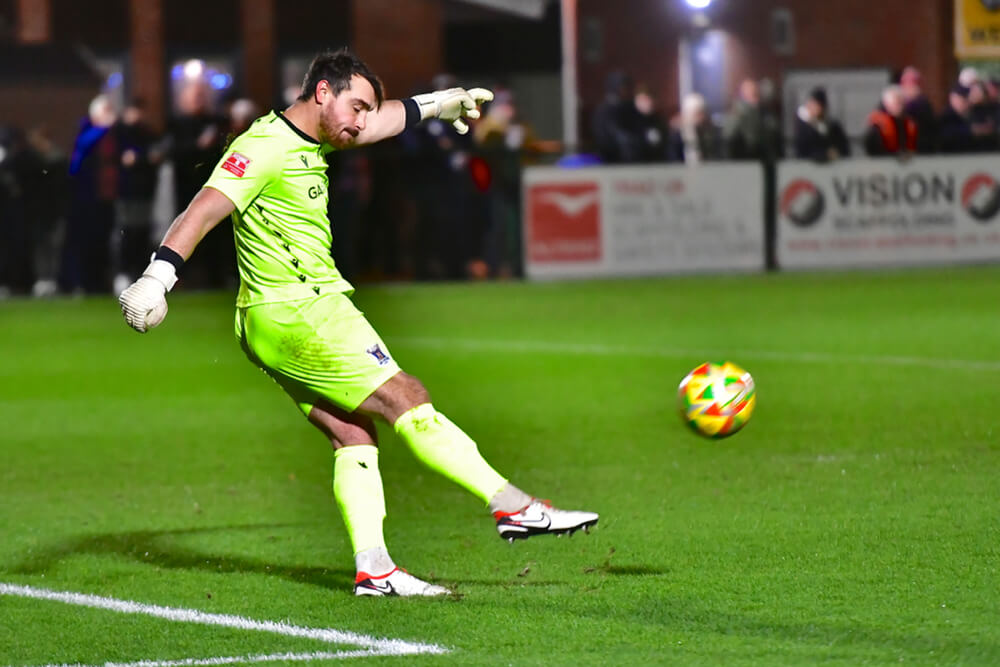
pixel 447 450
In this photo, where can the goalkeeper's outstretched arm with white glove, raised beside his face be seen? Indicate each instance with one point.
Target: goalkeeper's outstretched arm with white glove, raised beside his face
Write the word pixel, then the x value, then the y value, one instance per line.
pixel 452 105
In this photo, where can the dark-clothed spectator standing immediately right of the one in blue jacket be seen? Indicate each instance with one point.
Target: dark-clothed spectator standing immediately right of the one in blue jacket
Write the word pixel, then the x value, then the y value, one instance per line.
pixel 131 239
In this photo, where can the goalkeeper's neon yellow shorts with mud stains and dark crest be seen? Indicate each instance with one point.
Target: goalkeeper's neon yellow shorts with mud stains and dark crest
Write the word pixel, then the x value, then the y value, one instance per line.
pixel 316 348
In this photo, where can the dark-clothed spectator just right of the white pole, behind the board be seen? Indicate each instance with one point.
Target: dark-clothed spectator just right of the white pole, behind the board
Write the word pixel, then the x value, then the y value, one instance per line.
pixel 616 123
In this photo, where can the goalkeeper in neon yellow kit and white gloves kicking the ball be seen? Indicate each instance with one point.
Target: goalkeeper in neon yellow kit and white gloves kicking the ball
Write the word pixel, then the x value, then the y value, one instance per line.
pixel 295 320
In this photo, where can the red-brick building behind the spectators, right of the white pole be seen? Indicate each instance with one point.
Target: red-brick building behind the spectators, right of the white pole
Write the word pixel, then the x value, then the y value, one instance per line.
pixel 772 39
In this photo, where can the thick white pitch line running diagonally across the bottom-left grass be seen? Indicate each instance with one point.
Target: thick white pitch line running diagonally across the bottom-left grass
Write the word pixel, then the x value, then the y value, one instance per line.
pixel 328 635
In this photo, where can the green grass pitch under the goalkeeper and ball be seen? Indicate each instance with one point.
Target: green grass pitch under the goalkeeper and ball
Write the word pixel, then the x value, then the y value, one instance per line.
pixel 855 520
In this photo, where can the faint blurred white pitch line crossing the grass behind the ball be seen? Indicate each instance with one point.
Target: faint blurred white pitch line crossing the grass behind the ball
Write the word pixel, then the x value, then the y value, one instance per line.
pixel 598 349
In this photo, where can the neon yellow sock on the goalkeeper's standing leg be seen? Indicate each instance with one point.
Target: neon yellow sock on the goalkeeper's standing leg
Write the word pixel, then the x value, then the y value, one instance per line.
pixel 357 485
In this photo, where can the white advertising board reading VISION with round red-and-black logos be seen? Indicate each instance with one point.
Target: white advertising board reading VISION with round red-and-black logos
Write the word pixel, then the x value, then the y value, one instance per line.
pixel 887 213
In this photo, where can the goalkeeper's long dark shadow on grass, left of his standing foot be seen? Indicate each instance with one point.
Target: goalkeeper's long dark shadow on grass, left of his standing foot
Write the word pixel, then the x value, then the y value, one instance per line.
pixel 160 549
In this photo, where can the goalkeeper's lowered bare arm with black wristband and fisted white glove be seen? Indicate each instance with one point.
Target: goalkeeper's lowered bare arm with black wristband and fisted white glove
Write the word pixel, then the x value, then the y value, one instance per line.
pixel 144 302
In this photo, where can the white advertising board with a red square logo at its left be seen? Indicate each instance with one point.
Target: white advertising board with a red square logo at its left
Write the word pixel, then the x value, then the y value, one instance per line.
pixel 620 221
